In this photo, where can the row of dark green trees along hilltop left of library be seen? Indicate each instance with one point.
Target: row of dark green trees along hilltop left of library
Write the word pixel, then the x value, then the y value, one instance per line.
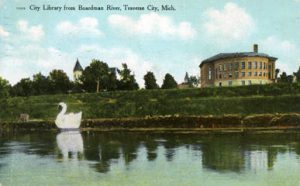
pixel 98 76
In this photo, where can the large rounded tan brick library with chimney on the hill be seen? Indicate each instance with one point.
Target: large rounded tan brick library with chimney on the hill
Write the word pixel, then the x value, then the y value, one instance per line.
pixel 234 69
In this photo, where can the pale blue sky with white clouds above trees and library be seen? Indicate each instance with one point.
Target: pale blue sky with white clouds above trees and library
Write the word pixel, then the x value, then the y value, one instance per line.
pixel 163 42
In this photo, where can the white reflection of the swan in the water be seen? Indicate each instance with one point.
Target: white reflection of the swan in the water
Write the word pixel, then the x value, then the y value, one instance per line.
pixel 70 144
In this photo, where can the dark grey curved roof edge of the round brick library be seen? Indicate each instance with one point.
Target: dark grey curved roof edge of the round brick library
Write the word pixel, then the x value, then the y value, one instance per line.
pixel 237 54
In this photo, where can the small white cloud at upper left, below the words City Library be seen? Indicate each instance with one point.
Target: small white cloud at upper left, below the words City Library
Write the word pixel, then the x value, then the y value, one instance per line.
pixel 34 33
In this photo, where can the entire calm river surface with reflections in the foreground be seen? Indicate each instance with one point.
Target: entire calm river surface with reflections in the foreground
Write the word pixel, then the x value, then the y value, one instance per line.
pixel 131 158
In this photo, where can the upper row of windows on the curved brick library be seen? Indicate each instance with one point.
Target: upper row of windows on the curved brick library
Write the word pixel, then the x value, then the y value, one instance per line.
pixel 250 65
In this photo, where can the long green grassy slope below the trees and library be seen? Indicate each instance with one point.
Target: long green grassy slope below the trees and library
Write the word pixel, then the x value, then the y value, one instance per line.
pixel 209 101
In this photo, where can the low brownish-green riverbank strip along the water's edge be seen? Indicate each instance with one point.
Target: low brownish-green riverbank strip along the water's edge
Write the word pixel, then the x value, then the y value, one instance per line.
pixel 225 123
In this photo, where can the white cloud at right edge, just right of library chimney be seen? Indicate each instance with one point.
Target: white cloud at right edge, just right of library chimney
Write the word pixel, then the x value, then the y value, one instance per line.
pixel 288 53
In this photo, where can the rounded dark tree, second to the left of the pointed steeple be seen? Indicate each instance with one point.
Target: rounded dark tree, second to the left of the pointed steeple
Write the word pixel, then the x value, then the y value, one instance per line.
pixel 40 84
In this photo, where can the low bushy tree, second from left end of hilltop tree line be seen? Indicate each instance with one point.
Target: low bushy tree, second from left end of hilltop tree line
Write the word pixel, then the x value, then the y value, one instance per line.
pixel 23 88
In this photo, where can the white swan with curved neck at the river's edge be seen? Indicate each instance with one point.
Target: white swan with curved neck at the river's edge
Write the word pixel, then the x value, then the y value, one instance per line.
pixel 67 121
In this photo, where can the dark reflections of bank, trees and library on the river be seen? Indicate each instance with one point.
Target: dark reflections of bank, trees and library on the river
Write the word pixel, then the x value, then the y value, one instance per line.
pixel 218 153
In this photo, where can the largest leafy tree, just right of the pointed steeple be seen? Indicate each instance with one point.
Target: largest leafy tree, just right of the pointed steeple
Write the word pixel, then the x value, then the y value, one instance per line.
pixel 97 76
